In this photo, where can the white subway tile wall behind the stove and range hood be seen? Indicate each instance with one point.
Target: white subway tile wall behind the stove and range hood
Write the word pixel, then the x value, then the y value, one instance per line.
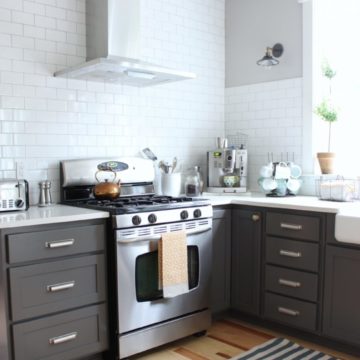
pixel 45 119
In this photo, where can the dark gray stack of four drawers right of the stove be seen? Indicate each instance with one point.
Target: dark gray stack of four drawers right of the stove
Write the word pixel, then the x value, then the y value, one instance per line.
pixel 293 244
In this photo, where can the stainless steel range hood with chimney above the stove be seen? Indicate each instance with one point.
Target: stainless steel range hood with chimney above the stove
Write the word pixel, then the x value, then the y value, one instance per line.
pixel 113 47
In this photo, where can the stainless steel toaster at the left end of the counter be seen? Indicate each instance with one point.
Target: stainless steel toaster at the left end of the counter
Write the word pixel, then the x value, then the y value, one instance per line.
pixel 14 194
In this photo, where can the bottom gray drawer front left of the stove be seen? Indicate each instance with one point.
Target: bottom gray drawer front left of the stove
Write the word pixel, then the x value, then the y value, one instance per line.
pixel 76 334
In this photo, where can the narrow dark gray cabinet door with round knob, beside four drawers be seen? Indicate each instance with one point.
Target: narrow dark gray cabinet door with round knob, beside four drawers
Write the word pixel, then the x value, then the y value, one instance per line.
pixel 245 260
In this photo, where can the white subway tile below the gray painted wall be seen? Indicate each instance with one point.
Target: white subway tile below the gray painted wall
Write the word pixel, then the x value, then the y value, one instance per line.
pixel 271 115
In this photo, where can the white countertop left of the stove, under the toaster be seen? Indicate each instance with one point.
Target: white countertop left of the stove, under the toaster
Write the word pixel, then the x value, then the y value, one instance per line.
pixel 48 215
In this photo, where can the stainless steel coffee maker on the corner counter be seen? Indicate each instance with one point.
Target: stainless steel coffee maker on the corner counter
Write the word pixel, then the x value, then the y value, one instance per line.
pixel 227 170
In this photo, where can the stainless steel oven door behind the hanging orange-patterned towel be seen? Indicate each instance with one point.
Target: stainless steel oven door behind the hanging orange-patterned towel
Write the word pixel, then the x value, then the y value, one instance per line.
pixel 140 302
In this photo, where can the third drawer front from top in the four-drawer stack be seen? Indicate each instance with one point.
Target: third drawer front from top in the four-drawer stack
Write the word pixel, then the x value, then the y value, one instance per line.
pixel 292 283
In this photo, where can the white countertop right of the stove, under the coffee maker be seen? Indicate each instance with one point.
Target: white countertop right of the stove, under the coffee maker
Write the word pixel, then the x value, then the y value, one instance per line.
pixel 307 203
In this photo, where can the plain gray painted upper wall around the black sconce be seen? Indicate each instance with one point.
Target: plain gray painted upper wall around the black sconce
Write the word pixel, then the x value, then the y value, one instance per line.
pixel 251 26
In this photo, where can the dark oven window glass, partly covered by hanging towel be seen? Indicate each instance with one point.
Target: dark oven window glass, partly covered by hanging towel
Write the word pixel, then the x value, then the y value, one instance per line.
pixel 146 274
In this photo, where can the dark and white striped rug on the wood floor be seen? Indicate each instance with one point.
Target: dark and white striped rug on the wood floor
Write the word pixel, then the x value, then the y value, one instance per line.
pixel 282 349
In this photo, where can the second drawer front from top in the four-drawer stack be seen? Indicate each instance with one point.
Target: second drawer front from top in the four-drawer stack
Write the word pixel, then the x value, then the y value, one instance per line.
pixel 294 254
